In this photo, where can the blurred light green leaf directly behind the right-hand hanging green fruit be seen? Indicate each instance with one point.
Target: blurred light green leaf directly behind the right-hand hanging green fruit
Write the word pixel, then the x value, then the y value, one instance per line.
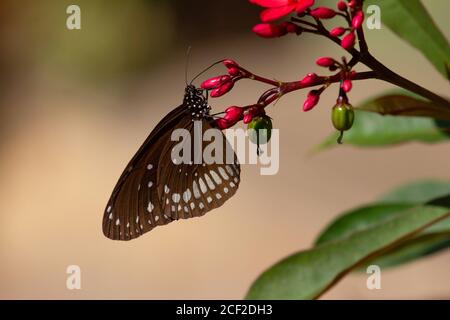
pixel 374 130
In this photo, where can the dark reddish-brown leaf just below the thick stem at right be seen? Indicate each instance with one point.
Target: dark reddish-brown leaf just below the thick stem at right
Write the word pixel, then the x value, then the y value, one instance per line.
pixel 403 105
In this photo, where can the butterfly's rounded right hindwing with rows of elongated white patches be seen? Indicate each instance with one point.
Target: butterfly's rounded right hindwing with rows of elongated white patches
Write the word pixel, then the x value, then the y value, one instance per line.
pixel 191 190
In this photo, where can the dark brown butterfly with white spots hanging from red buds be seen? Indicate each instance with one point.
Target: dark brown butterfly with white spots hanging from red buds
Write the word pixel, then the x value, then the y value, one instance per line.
pixel 154 191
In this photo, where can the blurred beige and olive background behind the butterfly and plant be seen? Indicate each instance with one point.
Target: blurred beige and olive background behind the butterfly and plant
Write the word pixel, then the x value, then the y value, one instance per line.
pixel 76 105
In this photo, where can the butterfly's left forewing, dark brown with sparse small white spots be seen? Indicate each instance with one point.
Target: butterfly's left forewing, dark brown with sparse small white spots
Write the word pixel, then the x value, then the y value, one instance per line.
pixel 125 216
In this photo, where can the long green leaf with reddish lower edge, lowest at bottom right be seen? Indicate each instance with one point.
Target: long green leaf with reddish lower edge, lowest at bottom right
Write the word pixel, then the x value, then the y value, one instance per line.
pixel 307 274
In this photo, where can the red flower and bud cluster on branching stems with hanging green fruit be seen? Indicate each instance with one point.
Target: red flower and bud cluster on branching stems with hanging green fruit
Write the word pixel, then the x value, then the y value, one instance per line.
pixel 350 10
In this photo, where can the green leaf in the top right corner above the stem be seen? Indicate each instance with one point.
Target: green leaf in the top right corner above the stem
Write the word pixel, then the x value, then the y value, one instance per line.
pixel 411 21
